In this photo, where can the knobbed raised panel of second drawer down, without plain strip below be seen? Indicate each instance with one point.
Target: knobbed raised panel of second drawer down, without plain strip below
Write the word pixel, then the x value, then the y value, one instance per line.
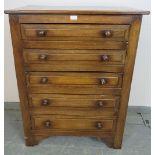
pixel 37 56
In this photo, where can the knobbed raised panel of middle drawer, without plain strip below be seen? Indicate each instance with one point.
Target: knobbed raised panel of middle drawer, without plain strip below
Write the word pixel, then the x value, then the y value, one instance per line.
pixel 96 79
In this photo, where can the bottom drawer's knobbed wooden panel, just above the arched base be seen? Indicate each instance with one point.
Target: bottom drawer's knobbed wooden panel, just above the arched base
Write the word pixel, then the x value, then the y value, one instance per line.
pixel 50 122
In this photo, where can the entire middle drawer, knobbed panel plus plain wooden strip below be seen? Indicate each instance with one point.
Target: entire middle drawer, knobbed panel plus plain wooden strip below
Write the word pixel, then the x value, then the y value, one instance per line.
pixel 74 83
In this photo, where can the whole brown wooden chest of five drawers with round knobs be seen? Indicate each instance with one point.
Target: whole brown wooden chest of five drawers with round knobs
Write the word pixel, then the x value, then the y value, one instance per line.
pixel 74 70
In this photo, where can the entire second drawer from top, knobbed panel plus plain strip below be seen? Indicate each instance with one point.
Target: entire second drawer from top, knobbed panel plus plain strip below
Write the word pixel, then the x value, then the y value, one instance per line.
pixel 74 60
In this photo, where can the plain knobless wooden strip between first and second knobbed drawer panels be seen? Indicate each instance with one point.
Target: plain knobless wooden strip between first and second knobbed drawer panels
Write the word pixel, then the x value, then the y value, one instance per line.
pixel 107 44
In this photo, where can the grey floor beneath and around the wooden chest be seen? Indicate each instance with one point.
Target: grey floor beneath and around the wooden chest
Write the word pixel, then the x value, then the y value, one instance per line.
pixel 136 141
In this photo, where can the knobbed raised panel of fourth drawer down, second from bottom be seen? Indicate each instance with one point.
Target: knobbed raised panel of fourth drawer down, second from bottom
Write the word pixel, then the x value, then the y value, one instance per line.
pixel 94 102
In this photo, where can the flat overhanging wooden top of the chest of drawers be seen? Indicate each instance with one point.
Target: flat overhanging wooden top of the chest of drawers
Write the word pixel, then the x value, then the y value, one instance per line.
pixel 76 10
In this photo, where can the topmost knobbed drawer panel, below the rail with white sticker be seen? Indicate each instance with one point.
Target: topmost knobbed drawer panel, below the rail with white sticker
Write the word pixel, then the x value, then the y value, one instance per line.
pixel 74 32
